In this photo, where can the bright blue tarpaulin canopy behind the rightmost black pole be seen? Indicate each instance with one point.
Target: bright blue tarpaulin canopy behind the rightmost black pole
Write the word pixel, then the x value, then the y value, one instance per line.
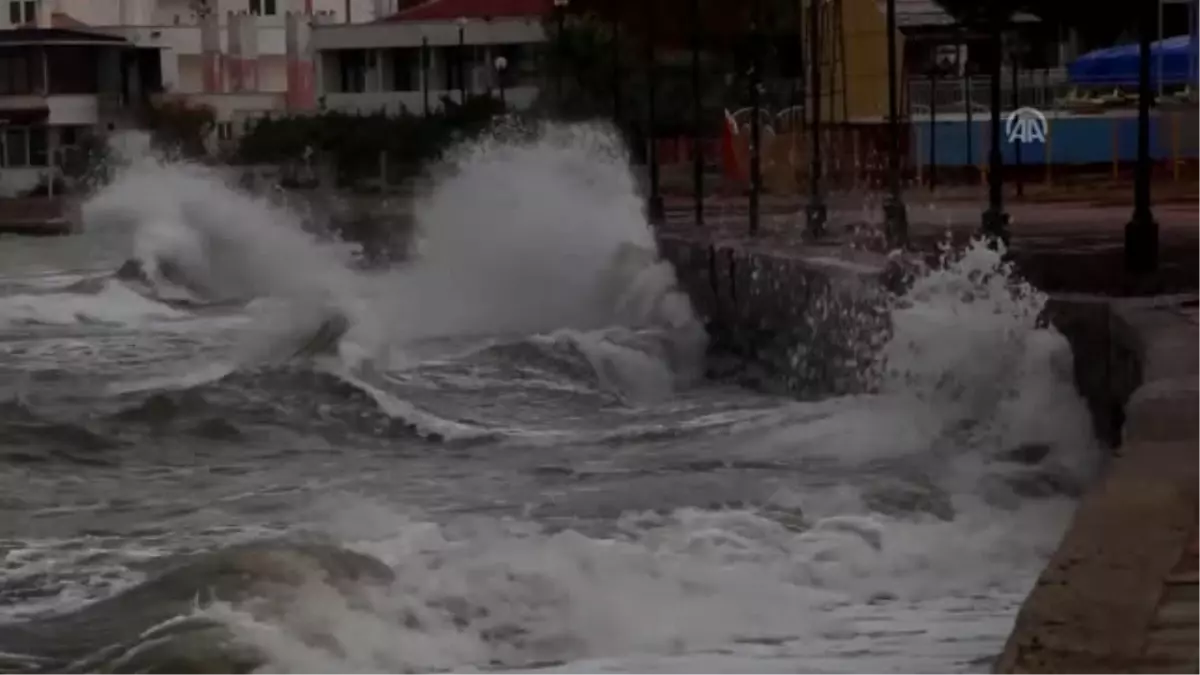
pixel 1119 65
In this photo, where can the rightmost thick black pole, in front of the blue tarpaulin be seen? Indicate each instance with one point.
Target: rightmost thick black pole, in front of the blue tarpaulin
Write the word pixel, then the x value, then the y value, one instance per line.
pixel 1142 232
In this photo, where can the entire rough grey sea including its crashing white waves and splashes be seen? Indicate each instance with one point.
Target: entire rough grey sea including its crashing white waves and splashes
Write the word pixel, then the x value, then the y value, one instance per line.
pixel 497 456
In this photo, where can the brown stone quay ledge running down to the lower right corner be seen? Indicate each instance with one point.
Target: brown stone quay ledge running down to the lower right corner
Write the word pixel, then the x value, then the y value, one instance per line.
pixel 1123 592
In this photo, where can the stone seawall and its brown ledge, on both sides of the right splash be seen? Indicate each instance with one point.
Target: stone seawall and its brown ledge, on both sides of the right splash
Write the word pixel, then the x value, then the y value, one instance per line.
pixel 1123 592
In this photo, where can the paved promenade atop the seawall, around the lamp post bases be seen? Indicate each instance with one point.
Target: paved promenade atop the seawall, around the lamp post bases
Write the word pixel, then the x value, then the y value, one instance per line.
pixel 1060 247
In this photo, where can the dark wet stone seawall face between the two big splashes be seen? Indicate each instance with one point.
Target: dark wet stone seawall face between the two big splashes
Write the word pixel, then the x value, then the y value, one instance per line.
pixel 807 325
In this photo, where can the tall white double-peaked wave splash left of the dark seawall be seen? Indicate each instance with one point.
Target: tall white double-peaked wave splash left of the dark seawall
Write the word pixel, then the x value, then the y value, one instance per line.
pixel 550 240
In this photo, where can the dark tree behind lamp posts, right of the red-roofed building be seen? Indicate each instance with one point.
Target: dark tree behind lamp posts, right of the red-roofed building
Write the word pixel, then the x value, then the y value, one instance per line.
pixel 584 57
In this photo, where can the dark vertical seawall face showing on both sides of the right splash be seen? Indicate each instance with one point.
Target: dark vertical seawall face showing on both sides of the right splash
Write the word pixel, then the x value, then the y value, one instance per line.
pixel 811 324
